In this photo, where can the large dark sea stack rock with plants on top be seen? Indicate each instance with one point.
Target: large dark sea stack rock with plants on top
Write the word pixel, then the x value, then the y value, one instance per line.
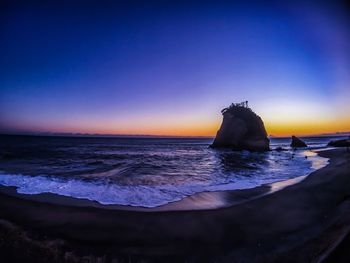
pixel 241 129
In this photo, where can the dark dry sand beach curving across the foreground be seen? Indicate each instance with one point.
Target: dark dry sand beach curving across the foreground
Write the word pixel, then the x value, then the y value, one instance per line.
pixel 305 222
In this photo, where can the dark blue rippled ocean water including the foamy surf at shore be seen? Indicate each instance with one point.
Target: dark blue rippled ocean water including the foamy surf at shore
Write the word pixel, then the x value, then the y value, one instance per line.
pixel 145 172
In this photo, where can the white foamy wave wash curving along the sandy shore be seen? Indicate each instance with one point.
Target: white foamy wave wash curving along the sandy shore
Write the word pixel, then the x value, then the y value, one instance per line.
pixel 142 195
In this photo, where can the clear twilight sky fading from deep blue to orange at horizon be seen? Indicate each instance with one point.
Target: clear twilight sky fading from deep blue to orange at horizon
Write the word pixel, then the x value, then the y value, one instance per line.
pixel 169 67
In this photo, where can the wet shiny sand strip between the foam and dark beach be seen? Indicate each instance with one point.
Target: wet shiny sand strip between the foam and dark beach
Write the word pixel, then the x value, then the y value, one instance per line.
pixel 206 200
